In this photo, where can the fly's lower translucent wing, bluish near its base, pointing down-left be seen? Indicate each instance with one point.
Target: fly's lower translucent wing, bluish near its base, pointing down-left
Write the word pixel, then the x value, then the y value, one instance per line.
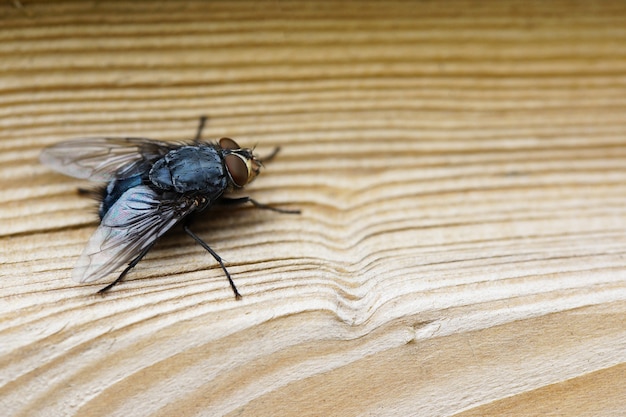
pixel 132 224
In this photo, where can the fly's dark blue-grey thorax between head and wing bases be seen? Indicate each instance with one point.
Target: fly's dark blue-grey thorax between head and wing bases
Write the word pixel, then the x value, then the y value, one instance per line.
pixel 191 169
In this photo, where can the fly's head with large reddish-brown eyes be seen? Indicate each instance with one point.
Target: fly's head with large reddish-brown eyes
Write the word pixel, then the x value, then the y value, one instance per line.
pixel 241 164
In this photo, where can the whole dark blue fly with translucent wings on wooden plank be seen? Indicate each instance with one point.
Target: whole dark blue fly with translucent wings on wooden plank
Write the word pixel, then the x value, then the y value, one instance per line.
pixel 152 186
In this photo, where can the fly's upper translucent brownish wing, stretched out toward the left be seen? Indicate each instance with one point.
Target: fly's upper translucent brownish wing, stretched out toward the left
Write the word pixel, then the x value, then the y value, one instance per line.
pixel 102 159
